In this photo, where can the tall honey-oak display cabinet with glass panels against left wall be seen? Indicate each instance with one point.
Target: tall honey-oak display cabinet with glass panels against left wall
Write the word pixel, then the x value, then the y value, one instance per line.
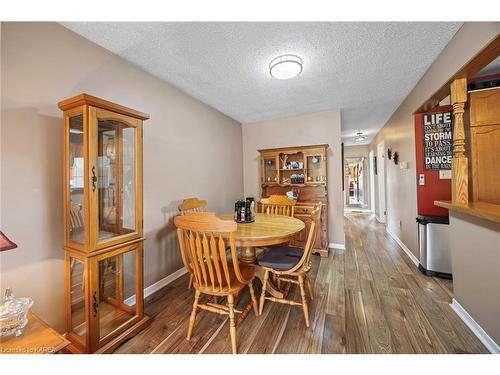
pixel 103 231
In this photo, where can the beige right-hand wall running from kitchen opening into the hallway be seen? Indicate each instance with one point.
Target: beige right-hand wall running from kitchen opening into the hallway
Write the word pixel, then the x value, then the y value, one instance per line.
pixel 398 133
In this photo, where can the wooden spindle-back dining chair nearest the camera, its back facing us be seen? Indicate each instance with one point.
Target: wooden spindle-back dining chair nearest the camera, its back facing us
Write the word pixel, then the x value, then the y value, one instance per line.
pixel 203 239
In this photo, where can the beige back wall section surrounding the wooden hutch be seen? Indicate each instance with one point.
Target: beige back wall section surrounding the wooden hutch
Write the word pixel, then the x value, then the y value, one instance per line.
pixel 309 129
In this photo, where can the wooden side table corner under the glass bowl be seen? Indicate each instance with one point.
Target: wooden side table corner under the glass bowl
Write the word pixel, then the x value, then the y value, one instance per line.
pixel 37 338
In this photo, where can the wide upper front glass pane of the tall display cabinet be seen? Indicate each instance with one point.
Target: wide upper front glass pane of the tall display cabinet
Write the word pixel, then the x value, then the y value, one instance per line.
pixel 115 181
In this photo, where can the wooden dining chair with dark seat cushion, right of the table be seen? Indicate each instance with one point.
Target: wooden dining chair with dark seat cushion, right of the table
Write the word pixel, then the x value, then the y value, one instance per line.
pixel 291 265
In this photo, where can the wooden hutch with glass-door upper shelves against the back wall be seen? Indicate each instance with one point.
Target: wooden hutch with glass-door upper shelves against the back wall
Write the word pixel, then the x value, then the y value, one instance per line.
pixel 302 170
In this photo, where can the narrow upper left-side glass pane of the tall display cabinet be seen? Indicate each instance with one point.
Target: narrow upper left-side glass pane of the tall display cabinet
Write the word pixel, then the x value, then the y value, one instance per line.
pixel 75 177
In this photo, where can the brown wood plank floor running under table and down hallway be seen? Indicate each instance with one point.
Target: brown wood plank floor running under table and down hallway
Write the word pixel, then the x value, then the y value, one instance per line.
pixel 369 298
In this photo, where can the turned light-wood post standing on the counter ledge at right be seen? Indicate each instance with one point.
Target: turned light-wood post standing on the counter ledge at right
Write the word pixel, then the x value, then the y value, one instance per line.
pixel 459 183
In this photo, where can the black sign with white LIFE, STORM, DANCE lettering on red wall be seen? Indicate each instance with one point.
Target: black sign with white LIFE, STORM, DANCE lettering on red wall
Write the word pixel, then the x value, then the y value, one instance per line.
pixel 438 140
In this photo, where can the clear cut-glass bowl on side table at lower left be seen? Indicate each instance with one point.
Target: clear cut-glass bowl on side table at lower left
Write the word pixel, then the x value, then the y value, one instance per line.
pixel 13 315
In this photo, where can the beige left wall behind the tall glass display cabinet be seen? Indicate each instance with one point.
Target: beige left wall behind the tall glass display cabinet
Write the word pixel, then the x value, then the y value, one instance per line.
pixel 190 149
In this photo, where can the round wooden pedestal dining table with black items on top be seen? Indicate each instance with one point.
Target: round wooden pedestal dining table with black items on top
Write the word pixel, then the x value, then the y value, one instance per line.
pixel 265 230
